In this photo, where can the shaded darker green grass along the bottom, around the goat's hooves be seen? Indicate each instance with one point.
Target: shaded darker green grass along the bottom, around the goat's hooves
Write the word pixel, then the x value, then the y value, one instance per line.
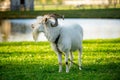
pixel 49 71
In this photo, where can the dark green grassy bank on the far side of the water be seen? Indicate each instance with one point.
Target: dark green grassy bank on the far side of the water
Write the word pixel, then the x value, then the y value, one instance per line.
pixel 80 13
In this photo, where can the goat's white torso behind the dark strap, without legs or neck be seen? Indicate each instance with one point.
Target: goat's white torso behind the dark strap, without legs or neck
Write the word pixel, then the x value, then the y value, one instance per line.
pixel 70 38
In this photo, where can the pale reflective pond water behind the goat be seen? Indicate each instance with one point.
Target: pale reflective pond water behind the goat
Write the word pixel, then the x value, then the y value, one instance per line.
pixel 20 29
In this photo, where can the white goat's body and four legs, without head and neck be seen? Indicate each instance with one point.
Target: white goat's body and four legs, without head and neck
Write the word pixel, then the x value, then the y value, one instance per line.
pixel 70 40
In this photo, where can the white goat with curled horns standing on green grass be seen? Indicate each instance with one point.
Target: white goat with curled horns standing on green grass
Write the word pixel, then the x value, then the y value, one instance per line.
pixel 66 38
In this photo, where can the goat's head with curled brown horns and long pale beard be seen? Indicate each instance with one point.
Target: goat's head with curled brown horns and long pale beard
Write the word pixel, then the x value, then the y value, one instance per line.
pixel 39 25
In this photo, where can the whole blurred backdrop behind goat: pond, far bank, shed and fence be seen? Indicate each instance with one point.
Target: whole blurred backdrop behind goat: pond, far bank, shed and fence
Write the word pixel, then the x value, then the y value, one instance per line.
pixel 16 16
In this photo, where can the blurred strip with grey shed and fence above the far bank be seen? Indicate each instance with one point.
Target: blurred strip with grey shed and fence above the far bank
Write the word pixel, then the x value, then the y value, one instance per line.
pixel 57 4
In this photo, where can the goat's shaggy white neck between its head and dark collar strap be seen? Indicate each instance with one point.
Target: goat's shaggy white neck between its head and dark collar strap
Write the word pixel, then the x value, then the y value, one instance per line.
pixel 52 33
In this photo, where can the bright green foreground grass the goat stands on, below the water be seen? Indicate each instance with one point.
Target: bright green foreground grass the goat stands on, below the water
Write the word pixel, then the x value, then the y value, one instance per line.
pixel 37 61
